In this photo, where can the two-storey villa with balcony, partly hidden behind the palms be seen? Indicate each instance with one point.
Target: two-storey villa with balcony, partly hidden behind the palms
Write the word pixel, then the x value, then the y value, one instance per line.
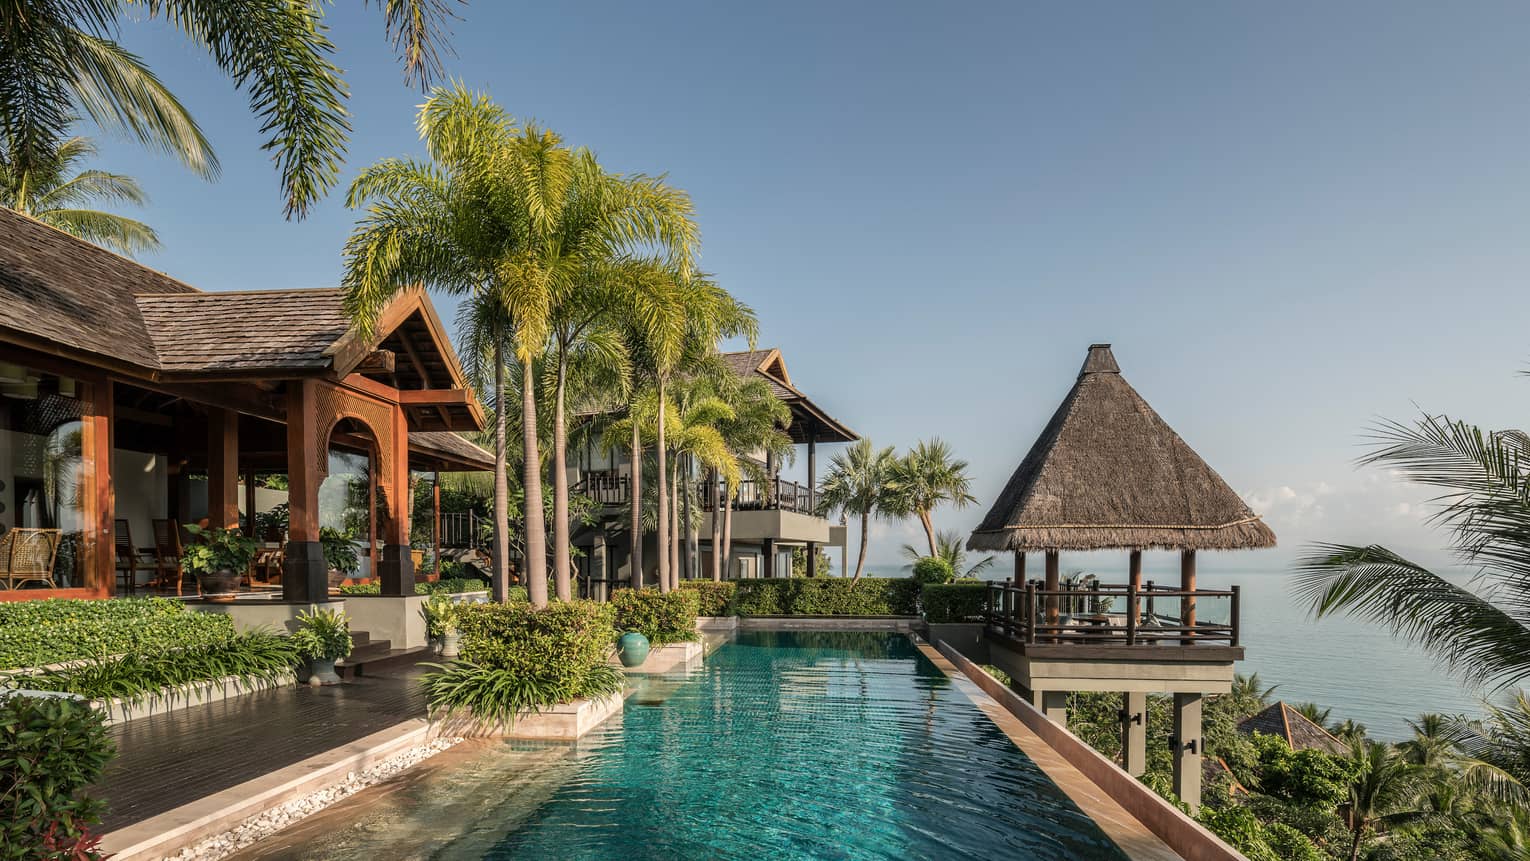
pixel 772 518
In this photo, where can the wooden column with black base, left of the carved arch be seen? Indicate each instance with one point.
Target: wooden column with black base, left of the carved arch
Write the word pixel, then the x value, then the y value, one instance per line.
pixel 305 576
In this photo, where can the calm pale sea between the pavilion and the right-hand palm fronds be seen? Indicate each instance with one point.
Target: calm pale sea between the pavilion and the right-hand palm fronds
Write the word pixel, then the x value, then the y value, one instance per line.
pixel 1350 666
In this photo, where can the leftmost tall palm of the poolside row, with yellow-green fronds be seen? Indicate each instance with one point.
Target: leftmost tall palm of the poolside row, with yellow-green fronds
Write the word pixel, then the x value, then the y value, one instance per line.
pixel 461 224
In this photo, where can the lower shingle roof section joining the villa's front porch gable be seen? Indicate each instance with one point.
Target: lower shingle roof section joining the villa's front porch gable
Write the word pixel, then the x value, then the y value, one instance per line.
pixel 244 331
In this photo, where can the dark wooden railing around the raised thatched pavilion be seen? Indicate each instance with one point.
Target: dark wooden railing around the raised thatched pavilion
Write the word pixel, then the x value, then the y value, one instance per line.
pixel 1115 616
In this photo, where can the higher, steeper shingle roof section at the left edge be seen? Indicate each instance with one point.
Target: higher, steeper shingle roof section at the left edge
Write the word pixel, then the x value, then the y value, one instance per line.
pixel 62 290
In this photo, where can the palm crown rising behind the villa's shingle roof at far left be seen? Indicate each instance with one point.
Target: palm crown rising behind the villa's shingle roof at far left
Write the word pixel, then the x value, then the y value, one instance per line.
pixel 51 192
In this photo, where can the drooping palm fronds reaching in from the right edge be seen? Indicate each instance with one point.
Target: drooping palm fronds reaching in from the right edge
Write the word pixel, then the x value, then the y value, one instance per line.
pixel 1482 629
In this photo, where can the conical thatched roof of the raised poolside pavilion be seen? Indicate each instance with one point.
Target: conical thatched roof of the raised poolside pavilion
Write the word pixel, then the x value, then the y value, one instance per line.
pixel 1108 473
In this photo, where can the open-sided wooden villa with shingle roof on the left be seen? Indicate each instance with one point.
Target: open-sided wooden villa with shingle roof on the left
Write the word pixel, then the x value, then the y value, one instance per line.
pixel 132 403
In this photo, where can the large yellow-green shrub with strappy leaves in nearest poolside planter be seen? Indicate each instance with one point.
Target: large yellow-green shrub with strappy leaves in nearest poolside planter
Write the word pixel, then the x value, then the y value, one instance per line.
pixel 521 660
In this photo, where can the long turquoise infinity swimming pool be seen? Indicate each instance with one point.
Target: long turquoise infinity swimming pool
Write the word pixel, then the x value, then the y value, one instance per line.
pixel 784 746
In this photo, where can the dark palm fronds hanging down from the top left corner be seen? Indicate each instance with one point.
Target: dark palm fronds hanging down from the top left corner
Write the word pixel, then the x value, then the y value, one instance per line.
pixel 63 60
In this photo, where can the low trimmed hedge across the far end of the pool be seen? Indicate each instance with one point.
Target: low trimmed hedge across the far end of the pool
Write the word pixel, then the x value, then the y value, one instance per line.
pixel 827 597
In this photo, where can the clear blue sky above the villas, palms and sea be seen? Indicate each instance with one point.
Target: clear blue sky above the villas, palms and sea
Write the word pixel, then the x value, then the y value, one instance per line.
pixel 1291 221
